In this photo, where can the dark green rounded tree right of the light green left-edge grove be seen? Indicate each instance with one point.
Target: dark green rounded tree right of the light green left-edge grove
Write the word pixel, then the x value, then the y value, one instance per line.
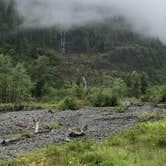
pixel 43 73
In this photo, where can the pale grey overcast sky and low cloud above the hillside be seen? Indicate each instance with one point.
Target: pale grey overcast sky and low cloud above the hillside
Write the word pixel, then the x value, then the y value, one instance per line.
pixel 145 16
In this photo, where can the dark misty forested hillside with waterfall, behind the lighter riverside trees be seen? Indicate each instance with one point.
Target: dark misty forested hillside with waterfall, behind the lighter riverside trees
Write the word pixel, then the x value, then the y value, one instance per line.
pixel 54 57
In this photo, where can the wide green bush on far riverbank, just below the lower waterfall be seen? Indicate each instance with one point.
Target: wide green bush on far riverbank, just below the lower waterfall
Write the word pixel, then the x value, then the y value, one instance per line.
pixel 101 97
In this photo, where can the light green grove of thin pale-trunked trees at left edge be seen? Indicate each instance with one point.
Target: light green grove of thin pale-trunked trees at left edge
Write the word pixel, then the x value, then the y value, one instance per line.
pixel 15 84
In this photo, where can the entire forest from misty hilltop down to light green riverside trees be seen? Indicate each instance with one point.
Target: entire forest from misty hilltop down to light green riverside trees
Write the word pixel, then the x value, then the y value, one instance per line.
pixel 49 60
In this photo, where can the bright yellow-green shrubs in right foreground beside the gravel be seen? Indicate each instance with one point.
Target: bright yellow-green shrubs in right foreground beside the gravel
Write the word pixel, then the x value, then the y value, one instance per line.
pixel 152 134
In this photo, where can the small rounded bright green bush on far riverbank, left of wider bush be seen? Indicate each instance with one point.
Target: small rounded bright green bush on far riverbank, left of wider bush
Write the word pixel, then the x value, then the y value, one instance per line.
pixel 70 103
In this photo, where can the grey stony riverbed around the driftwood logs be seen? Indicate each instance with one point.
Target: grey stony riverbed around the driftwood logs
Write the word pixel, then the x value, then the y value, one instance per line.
pixel 99 123
